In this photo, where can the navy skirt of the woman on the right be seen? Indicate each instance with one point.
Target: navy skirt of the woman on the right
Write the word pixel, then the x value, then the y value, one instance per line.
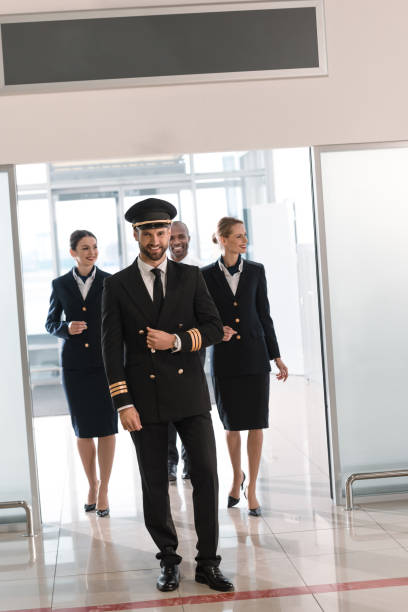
pixel 243 402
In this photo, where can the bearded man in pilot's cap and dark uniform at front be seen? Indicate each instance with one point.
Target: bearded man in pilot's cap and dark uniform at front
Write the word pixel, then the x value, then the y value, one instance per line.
pixel 156 315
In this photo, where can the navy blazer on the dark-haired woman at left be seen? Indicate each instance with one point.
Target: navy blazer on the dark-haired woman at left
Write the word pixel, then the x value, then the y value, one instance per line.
pixel 80 350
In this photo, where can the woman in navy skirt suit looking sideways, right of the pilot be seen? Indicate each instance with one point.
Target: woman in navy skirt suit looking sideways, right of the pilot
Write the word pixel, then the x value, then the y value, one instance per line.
pixel 241 363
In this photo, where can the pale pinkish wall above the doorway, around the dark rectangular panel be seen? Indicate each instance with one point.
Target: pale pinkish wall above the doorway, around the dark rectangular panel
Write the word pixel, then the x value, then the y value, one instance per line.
pixel 363 99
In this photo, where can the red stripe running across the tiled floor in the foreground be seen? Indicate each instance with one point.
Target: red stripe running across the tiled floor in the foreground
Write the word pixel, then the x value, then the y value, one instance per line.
pixel 334 587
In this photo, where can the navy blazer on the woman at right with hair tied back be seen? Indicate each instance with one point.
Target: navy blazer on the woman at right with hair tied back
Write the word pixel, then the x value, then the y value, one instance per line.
pixel 250 350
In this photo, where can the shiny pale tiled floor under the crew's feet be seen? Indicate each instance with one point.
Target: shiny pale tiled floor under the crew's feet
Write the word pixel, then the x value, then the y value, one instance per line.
pixel 304 554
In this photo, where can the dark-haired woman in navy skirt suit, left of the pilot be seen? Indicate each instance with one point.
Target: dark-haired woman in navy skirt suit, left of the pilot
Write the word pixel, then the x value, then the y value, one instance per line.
pixel 78 294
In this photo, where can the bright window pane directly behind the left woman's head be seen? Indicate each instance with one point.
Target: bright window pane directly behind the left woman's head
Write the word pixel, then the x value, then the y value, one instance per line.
pixel 98 215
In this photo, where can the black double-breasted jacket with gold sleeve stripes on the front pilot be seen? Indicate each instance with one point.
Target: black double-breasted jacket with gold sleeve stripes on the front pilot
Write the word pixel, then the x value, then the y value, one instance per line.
pixel 162 385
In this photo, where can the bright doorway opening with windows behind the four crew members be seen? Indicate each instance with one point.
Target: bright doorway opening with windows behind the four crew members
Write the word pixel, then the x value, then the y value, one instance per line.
pixel 270 190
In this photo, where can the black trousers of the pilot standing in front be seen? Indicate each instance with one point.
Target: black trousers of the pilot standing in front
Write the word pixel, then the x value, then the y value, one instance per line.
pixel 151 442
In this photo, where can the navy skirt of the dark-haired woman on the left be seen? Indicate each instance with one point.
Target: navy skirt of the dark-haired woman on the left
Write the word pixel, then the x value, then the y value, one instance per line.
pixel 89 402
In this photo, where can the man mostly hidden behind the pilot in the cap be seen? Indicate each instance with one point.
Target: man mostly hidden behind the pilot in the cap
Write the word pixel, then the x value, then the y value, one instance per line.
pixel 178 247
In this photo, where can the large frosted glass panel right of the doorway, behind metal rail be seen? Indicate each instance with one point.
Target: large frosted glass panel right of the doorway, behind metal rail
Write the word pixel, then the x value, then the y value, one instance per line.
pixel 365 194
